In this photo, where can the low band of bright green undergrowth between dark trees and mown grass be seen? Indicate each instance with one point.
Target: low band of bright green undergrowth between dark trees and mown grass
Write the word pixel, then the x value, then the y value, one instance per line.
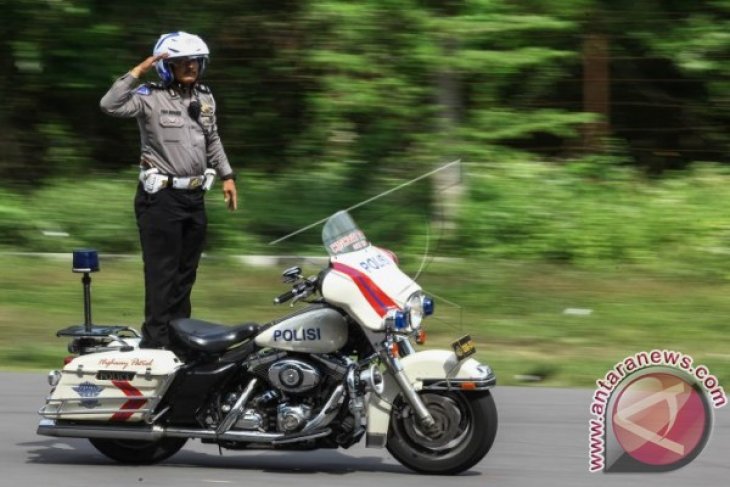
pixel 588 211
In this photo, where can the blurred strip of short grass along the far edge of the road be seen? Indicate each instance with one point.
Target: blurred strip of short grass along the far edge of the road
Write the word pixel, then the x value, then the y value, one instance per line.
pixel 516 311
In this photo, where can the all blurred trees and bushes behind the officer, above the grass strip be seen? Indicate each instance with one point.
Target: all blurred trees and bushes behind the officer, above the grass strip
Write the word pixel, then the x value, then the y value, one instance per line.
pixel 326 103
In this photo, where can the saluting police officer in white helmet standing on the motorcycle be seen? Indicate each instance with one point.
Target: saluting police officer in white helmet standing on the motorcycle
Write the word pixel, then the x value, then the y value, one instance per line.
pixel 181 153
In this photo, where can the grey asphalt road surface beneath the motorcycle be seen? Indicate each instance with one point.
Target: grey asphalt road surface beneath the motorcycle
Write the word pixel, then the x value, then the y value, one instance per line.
pixel 542 440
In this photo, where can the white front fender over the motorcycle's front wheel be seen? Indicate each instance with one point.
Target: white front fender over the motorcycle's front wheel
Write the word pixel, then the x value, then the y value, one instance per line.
pixel 437 370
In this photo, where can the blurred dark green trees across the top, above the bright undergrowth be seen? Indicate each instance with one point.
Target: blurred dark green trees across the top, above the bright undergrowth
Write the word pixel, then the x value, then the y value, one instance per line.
pixel 328 102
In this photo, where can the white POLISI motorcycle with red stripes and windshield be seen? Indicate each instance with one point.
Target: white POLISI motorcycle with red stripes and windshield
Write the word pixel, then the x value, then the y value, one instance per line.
pixel 341 368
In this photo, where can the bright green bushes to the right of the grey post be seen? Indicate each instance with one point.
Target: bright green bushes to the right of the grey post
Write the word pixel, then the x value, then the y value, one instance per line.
pixel 593 210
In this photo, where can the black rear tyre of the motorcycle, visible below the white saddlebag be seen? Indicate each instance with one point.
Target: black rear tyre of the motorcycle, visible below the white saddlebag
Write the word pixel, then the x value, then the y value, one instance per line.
pixel 138 452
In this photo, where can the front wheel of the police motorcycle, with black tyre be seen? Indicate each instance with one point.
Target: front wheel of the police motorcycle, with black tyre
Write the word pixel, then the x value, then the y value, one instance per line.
pixel 467 425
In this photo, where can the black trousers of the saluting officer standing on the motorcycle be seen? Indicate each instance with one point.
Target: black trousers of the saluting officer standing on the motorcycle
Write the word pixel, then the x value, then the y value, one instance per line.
pixel 172 227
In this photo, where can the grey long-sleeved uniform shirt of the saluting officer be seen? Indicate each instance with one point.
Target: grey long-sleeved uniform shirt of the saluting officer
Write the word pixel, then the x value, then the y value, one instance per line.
pixel 171 141
